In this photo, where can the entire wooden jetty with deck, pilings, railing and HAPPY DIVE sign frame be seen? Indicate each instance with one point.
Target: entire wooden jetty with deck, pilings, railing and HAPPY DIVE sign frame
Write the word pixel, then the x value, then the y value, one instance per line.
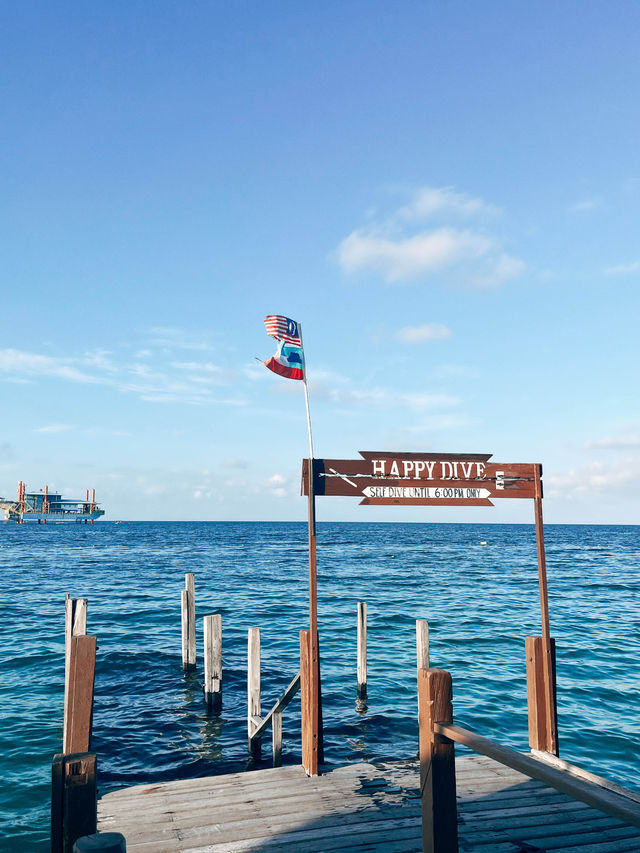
pixel 498 801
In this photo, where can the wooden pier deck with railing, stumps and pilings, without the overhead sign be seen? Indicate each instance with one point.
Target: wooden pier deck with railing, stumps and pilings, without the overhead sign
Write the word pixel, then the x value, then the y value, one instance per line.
pixel 495 801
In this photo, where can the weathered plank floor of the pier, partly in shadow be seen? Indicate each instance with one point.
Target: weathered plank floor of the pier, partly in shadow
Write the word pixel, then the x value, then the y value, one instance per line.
pixel 360 807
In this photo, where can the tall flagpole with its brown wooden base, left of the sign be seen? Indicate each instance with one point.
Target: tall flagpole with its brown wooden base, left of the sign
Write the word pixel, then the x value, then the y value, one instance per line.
pixel 314 747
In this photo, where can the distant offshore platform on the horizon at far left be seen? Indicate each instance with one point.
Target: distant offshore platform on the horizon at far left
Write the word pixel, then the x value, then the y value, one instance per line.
pixel 45 507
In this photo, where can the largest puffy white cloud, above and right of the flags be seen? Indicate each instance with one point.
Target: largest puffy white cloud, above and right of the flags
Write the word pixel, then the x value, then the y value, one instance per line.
pixel 423 238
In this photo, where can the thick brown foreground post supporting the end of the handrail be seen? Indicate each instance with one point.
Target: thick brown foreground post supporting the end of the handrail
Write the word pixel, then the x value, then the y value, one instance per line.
pixel 437 764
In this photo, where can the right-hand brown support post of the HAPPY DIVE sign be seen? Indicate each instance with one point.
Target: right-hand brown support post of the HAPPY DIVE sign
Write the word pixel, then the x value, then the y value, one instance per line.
pixel 540 653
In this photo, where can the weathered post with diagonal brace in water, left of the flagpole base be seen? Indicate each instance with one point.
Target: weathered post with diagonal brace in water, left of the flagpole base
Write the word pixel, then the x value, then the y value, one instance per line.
pixel 257 725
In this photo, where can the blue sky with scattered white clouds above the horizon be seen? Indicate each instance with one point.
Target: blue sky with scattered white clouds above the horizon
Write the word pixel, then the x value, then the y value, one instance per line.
pixel 445 196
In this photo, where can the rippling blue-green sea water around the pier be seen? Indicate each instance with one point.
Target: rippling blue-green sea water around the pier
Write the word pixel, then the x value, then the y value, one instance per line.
pixel 150 721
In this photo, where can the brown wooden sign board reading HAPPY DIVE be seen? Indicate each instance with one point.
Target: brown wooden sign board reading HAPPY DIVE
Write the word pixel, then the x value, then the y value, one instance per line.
pixel 422 479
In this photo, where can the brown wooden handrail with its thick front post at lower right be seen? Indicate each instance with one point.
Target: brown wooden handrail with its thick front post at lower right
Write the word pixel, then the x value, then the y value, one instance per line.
pixel 438 735
